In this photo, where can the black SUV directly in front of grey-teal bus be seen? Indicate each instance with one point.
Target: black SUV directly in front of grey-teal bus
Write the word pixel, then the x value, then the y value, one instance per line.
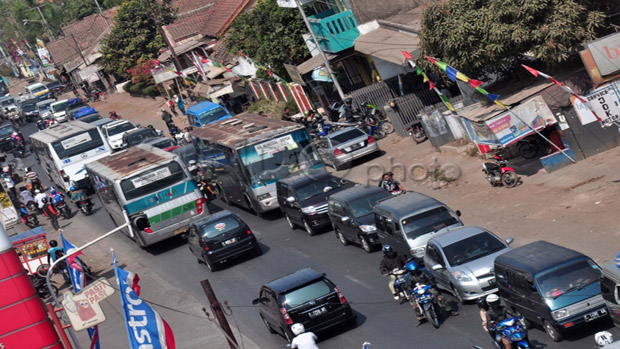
pixel 303 198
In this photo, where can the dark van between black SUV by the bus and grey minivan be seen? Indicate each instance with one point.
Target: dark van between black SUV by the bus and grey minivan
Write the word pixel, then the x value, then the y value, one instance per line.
pixel 352 217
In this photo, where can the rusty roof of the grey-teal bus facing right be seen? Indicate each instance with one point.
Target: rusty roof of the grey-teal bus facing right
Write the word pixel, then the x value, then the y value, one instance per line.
pixel 244 129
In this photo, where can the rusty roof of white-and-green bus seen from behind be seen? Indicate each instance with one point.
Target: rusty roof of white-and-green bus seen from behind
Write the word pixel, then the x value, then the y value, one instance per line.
pixel 130 161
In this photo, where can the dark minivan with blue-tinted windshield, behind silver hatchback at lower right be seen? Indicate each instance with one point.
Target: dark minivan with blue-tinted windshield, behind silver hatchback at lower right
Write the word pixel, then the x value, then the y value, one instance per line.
pixel 550 285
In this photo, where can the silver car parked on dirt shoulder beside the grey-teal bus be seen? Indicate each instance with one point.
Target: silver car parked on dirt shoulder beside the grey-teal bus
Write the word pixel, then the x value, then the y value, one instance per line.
pixel 344 146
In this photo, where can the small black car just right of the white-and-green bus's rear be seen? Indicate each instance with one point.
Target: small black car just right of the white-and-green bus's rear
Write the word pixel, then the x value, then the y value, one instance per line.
pixel 220 237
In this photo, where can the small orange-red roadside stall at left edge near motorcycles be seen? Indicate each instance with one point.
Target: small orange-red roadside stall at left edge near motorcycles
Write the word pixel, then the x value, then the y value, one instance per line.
pixel 31 247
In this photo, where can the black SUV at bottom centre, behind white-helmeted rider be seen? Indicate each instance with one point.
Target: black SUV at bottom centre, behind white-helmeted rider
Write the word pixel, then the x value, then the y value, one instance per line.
pixel 306 297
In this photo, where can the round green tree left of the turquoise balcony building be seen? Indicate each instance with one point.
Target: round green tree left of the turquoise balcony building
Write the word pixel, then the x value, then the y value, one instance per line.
pixel 270 35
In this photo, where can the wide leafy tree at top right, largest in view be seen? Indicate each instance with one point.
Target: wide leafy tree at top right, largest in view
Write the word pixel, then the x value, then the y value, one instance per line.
pixel 481 37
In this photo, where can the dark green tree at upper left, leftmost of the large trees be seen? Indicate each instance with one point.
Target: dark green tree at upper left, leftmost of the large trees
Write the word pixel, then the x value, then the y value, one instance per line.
pixel 135 35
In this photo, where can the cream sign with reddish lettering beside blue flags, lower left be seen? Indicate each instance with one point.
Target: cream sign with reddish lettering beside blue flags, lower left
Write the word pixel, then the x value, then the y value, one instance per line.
pixel 83 308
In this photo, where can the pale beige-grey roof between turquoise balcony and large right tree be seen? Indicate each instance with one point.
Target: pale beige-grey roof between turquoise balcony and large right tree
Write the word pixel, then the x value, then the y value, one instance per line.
pixel 387 44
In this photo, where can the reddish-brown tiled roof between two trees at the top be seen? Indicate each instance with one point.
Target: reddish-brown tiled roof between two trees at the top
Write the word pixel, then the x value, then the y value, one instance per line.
pixel 201 19
